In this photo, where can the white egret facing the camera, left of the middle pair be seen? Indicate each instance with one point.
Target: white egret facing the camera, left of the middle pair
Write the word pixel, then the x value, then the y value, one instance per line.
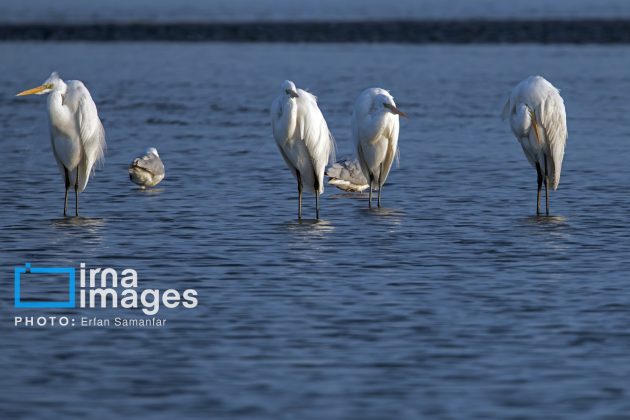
pixel 303 138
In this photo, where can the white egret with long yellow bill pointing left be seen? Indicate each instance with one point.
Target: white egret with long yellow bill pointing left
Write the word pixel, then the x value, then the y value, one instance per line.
pixel 77 136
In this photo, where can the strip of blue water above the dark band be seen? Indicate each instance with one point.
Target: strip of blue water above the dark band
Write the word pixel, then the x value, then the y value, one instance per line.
pixel 63 11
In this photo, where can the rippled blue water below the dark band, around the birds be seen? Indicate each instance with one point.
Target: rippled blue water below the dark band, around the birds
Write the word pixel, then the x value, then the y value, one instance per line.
pixel 452 301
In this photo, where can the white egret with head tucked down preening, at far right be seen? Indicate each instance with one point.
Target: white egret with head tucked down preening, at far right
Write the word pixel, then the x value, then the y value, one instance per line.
pixel 538 120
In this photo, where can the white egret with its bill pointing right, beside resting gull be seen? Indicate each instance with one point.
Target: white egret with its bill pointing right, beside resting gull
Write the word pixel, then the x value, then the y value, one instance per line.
pixel 375 127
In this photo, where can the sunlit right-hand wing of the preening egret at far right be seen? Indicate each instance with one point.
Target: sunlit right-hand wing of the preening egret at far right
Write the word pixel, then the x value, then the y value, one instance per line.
pixel 551 115
